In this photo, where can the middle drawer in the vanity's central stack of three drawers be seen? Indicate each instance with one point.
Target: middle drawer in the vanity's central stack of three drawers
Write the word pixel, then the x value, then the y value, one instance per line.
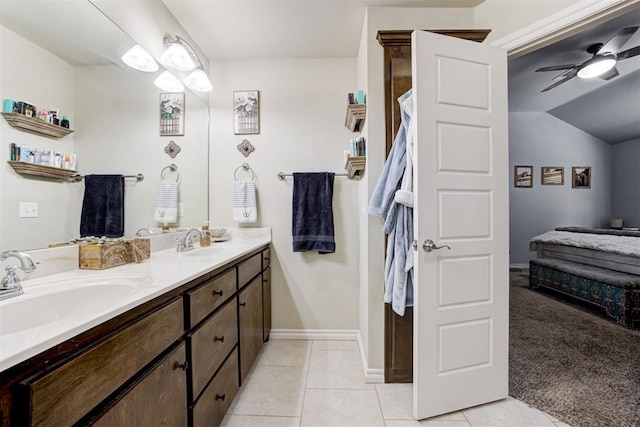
pixel 211 343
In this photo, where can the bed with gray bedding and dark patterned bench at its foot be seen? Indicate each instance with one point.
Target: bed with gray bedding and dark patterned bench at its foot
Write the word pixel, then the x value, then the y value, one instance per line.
pixel 598 266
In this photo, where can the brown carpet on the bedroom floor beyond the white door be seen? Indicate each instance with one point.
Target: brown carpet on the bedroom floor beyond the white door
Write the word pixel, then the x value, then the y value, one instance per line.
pixel 572 364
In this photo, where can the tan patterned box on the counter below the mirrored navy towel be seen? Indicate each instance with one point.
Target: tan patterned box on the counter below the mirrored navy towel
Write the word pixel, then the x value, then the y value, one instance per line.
pixel 112 254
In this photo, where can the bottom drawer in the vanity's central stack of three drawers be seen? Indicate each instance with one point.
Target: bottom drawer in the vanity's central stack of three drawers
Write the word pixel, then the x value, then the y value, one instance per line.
pixel 215 400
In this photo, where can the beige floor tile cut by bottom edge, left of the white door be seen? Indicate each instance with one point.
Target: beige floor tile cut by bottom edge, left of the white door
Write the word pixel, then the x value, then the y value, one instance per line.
pixel 341 408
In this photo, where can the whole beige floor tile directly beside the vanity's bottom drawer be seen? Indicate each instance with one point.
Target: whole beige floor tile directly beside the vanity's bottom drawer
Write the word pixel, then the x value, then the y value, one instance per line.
pixel 271 390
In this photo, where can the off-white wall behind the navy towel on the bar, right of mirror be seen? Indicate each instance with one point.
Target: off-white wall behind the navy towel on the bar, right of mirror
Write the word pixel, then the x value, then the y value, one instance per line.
pixel 302 112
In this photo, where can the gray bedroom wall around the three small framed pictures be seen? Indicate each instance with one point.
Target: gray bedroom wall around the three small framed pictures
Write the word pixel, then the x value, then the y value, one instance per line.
pixel 539 139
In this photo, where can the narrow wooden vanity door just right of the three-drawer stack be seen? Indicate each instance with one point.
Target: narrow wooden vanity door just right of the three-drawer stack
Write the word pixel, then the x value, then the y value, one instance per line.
pixel 250 315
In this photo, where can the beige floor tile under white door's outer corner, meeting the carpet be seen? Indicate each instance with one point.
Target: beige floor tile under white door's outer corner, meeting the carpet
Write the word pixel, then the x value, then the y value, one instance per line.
pixel 506 413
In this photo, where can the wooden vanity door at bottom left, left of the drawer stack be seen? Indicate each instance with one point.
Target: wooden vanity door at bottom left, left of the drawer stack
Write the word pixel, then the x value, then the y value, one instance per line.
pixel 159 399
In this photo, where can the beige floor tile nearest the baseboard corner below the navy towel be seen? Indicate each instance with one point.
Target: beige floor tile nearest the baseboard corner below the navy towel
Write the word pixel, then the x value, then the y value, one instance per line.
pixel 336 370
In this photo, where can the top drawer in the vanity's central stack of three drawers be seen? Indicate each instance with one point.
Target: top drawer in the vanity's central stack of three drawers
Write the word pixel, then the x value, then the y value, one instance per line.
pixel 209 296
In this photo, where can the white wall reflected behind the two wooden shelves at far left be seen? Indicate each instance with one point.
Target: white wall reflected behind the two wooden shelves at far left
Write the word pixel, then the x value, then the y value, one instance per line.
pixel 29 73
